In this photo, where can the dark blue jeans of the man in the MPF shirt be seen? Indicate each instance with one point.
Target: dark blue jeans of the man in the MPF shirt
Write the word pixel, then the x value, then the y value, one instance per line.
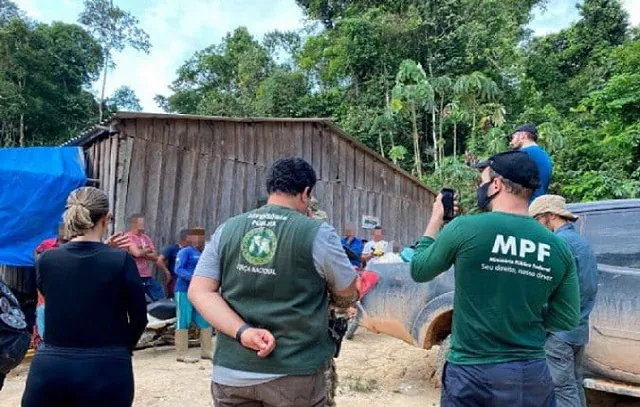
pixel 524 383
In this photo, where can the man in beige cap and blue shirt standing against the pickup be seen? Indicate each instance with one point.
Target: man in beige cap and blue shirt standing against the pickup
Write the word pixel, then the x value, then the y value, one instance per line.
pixel 565 350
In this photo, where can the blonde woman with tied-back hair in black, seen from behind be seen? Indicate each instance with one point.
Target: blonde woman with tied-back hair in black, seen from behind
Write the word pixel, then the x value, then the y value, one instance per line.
pixel 95 315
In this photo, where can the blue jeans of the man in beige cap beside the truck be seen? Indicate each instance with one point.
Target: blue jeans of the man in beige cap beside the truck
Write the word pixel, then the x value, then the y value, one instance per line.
pixel 565 364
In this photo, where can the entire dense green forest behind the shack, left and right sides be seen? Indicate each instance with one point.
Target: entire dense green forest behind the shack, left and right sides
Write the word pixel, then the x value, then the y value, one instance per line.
pixel 428 84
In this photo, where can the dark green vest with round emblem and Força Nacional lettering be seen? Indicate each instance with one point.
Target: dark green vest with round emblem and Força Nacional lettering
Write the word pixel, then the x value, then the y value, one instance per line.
pixel 268 277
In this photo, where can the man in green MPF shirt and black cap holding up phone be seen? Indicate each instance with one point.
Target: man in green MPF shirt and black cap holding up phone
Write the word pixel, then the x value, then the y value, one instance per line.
pixel 514 282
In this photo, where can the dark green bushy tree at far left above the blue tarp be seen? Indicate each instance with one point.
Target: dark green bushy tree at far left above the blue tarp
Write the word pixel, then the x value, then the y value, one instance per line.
pixel 44 73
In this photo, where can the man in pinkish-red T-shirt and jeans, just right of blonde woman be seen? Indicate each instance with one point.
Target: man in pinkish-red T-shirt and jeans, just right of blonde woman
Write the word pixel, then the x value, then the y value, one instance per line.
pixel 143 250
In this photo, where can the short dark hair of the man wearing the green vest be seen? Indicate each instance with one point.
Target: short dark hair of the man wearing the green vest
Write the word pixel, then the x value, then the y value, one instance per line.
pixel 290 176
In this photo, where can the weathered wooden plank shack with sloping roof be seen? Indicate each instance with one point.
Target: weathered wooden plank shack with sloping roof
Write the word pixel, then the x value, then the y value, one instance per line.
pixel 183 170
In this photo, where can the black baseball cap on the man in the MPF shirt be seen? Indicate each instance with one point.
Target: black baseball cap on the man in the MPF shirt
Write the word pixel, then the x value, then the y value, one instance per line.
pixel 516 166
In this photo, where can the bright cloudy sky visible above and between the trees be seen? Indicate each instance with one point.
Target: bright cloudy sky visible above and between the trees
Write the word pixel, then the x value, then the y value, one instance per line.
pixel 178 28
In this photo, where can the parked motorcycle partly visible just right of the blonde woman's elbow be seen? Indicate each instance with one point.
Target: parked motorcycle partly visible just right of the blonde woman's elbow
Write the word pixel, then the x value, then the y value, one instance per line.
pixel 160 329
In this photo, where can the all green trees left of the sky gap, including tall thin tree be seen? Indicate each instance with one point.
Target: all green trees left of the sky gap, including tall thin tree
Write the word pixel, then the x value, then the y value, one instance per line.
pixel 46 73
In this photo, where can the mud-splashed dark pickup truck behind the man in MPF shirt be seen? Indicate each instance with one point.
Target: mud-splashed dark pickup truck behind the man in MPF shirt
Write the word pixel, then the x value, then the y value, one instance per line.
pixel 420 314
